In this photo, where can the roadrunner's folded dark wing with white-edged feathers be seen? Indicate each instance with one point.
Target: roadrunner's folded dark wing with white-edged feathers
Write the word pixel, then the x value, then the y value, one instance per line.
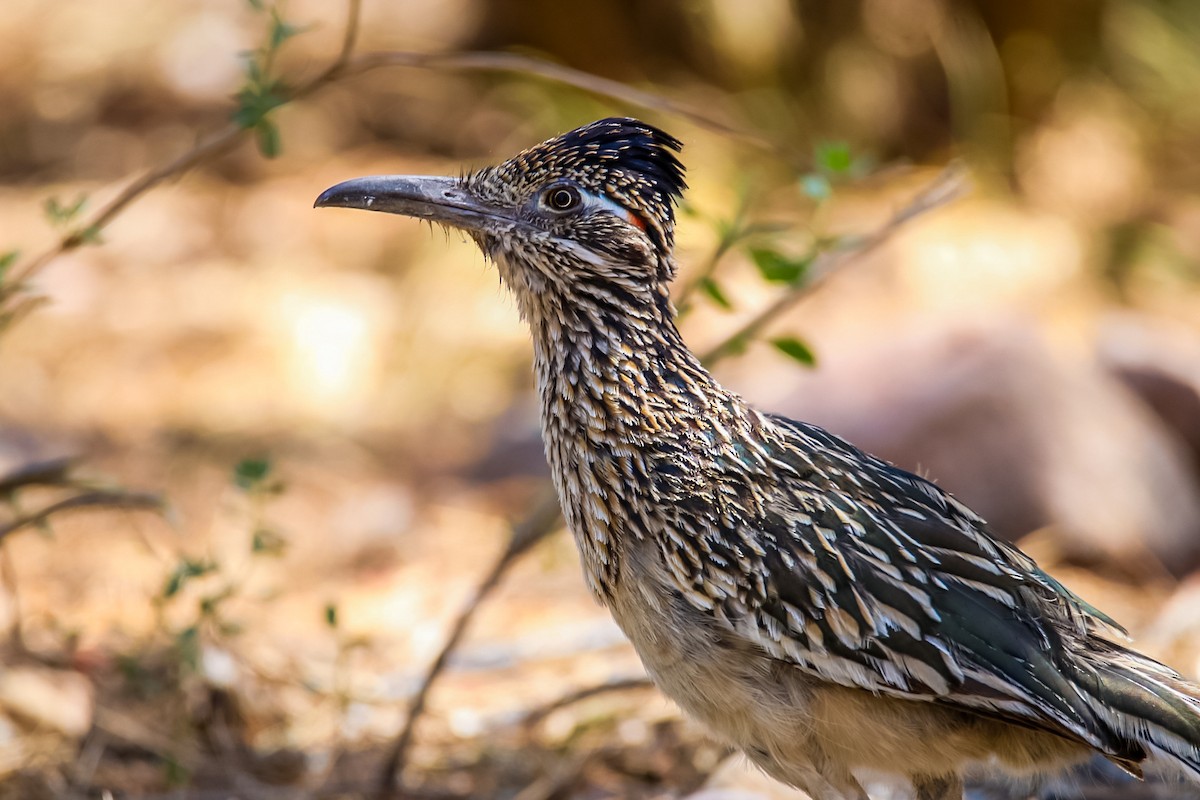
pixel 874 579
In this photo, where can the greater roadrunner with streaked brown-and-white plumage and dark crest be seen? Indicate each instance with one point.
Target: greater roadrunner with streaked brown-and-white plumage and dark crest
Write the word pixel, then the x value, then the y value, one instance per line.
pixel 826 612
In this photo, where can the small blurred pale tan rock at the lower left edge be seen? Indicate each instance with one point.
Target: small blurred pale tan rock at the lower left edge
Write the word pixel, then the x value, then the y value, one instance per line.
pixel 61 700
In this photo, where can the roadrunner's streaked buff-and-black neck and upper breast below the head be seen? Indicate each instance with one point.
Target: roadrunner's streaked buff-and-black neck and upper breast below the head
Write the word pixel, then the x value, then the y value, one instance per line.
pixel 615 390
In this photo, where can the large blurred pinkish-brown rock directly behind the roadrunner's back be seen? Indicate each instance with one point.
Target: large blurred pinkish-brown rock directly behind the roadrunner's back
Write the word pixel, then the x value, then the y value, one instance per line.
pixel 1024 436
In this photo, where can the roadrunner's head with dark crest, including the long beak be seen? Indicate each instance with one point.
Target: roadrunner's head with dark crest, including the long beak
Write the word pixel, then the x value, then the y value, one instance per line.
pixel 587 214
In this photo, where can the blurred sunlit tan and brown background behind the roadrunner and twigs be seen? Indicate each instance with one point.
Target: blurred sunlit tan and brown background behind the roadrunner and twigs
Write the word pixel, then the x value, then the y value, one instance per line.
pixel 338 408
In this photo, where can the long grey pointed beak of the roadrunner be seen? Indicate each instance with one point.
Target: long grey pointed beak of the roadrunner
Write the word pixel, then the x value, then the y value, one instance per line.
pixel 427 197
